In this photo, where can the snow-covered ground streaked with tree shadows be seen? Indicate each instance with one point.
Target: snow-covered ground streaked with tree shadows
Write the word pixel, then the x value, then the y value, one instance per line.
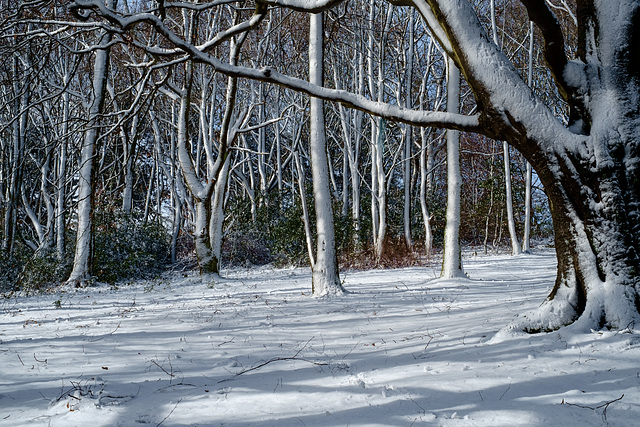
pixel 402 348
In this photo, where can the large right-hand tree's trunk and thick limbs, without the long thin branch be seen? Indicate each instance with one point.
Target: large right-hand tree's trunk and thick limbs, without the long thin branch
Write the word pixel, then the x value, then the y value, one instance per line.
pixel 590 170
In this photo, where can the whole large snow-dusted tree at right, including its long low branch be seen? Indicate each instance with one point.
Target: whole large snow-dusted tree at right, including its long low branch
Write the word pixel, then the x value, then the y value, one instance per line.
pixel 589 165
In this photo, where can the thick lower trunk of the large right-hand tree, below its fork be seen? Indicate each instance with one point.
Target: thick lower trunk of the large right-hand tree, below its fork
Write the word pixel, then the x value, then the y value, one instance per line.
pixel 597 241
